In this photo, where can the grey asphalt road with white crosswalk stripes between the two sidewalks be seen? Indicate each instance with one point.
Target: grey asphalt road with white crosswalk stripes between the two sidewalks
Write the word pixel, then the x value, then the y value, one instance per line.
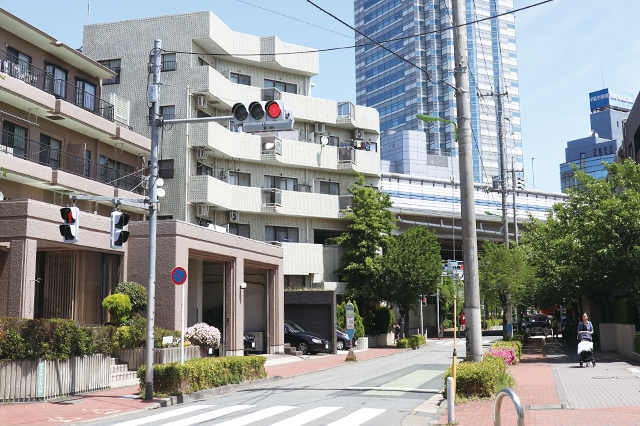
pixel 350 395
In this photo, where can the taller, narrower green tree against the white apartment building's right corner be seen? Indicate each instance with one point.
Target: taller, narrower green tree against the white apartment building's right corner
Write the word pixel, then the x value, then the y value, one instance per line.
pixel 368 237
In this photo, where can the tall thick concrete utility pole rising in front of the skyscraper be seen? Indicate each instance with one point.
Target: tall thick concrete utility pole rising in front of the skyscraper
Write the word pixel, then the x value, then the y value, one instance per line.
pixel 467 198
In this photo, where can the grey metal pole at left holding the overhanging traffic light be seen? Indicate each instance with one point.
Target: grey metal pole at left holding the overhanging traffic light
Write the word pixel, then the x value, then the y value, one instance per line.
pixel 154 95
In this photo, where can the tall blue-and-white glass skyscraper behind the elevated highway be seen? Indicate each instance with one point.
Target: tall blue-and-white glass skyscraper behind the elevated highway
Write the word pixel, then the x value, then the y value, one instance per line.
pixel 419 30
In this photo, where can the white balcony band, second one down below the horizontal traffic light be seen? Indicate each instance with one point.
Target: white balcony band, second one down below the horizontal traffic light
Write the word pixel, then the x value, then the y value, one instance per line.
pixel 215 192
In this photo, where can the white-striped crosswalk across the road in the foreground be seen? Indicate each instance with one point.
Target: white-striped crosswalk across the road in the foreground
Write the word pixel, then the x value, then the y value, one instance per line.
pixel 252 415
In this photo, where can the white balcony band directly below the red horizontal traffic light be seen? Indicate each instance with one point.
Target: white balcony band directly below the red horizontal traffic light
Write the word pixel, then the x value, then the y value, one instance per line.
pixel 270 150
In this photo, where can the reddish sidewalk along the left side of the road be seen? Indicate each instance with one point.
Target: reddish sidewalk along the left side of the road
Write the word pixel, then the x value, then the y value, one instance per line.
pixel 114 402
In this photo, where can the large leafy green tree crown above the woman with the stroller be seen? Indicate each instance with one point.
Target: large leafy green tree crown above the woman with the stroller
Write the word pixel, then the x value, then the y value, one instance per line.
pixel 590 244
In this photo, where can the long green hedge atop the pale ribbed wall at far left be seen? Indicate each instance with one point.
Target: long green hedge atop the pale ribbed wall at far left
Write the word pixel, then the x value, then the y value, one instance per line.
pixel 61 339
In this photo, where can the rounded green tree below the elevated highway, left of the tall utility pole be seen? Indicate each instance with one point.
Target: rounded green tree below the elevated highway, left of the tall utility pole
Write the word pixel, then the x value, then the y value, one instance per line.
pixel 411 268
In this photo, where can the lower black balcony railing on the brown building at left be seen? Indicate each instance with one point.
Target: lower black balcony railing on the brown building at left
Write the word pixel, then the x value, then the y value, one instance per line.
pixel 37 152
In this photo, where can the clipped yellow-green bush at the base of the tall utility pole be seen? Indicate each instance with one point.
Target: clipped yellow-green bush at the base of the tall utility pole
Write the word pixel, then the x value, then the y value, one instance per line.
pixel 477 378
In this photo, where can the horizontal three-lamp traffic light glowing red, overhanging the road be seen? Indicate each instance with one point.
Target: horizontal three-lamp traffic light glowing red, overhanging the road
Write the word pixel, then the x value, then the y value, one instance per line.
pixel 262 116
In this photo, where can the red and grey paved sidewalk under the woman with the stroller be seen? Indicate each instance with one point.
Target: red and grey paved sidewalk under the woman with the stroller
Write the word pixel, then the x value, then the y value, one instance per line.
pixel 556 391
